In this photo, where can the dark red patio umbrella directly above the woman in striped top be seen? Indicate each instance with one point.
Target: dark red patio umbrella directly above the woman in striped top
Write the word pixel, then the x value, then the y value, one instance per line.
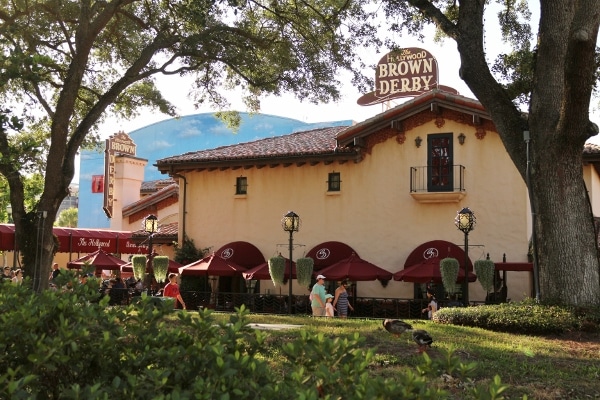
pixel 354 268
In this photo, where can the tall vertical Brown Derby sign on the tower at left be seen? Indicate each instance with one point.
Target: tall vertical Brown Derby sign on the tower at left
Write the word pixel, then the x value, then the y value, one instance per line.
pixel 120 143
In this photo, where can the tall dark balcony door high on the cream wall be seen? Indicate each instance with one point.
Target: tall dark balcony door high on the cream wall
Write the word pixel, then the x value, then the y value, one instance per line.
pixel 439 163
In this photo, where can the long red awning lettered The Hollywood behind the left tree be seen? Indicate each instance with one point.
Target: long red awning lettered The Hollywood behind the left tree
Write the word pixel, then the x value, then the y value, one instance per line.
pixel 75 240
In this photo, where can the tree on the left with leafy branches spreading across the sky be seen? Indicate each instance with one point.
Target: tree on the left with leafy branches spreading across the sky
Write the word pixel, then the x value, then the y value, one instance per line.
pixel 73 62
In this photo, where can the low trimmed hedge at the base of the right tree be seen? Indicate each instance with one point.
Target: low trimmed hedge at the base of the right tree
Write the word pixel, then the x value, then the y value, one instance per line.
pixel 526 317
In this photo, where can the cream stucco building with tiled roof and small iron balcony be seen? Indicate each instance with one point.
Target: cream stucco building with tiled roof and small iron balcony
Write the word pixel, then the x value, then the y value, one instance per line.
pixel 385 187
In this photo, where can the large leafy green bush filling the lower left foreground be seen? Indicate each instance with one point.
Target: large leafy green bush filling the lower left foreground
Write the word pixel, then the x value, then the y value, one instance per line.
pixel 59 344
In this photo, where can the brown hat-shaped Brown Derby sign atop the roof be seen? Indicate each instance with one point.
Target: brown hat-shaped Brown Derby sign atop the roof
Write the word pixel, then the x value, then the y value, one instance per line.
pixel 403 73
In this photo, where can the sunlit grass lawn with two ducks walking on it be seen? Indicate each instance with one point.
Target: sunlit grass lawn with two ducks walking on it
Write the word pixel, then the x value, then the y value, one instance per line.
pixel 550 367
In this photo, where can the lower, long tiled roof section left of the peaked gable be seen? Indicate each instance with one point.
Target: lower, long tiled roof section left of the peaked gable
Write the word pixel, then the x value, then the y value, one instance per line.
pixel 314 145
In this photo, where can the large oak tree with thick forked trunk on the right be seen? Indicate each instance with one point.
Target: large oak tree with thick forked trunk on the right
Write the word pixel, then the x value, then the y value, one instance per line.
pixel 554 78
